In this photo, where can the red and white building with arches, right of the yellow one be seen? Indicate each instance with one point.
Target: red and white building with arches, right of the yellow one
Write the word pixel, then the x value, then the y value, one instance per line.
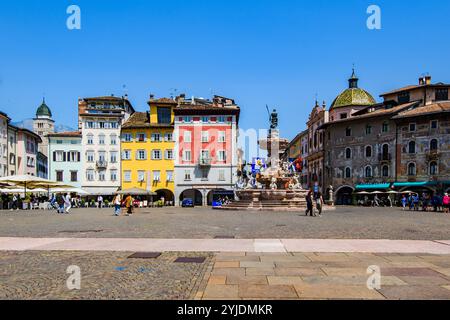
pixel 206 149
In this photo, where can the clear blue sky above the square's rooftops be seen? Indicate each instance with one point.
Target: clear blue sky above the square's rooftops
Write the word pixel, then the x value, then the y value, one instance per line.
pixel 279 53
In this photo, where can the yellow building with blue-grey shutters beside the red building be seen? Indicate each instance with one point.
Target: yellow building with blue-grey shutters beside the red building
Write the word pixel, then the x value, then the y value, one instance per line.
pixel 147 149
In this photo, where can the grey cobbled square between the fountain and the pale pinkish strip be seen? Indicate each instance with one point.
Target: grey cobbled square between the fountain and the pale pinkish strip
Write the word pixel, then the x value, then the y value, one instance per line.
pixel 205 223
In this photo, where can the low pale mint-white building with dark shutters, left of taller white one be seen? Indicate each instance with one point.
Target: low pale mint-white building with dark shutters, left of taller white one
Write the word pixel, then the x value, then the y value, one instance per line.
pixel 65 158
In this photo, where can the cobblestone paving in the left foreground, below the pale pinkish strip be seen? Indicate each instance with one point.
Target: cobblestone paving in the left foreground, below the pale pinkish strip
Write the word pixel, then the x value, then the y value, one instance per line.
pixel 104 275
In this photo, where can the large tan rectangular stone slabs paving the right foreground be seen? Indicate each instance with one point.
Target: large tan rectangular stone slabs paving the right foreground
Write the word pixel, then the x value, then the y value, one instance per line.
pixel 325 276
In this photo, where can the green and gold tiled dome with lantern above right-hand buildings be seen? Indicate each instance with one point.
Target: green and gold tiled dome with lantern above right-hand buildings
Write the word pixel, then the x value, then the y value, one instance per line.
pixel 353 96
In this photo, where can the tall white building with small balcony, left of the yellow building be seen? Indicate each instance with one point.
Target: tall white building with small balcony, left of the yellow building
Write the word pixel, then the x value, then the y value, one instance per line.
pixel 100 120
